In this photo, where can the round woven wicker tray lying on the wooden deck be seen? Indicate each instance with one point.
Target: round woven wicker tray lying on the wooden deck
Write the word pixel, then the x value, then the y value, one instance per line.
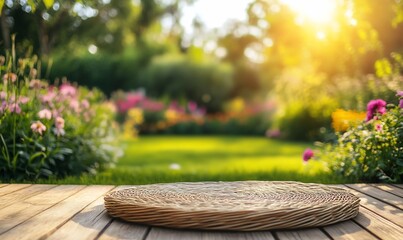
pixel 240 206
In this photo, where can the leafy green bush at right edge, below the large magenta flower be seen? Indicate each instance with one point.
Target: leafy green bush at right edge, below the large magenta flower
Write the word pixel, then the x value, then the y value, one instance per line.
pixel 371 152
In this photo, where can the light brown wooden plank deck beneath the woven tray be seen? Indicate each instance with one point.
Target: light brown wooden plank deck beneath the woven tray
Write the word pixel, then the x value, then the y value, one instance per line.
pixel 77 212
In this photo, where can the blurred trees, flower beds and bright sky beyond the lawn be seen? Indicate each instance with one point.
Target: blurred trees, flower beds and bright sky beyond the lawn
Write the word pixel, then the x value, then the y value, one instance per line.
pixel 281 68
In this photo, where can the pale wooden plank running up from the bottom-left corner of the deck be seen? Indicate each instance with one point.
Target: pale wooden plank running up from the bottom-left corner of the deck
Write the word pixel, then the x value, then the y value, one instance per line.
pixel 46 222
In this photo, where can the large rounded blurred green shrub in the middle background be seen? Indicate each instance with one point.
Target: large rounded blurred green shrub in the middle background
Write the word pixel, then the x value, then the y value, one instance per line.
pixel 205 81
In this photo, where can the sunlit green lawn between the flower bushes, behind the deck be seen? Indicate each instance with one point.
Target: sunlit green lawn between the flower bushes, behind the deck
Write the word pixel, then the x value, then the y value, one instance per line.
pixel 207 158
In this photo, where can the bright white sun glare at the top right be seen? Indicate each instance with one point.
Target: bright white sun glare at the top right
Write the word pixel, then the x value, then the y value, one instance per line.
pixel 316 11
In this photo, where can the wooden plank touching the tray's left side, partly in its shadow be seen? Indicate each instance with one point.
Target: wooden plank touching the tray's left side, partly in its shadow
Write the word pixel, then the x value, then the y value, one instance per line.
pixel 85 225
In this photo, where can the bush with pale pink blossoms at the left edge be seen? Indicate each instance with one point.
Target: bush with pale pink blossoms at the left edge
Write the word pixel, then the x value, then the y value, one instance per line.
pixel 51 130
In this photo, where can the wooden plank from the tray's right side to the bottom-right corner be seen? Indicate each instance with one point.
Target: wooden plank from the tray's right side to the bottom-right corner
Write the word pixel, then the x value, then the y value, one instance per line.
pixel 378 226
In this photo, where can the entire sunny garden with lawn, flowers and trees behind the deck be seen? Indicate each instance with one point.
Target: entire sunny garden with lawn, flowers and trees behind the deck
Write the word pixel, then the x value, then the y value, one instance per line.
pixel 145 91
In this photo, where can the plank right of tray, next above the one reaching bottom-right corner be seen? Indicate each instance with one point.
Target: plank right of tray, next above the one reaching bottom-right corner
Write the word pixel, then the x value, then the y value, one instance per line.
pixel 387 211
